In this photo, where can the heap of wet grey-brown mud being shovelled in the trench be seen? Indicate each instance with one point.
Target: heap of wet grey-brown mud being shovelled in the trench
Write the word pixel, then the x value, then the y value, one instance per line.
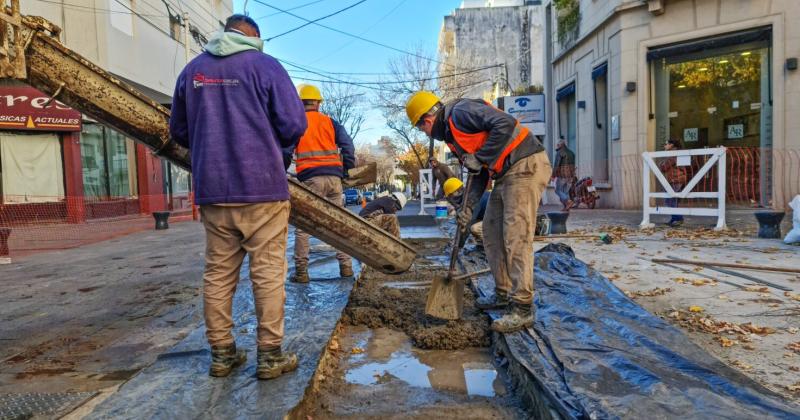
pixel 382 301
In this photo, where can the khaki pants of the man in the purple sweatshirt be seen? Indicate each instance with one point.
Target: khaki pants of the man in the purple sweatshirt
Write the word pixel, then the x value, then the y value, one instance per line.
pixel 260 231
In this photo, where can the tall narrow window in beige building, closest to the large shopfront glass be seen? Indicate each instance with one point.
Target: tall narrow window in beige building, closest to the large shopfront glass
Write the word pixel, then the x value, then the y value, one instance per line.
pixel 600 145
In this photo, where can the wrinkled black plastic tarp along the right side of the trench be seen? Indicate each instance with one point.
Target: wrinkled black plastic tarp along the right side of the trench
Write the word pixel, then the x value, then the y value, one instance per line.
pixel 597 354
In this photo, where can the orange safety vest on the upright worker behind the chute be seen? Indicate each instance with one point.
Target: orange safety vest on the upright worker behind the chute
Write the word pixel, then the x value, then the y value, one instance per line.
pixel 317 147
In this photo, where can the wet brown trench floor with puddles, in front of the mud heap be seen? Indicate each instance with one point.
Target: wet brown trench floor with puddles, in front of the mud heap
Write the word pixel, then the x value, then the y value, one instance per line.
pixel 380 374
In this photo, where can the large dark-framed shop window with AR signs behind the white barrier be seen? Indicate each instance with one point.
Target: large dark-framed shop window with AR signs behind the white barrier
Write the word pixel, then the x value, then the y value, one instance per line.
pixel 720 95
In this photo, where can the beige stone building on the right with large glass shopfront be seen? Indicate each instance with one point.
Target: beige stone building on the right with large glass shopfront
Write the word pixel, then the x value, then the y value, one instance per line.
pixel 626 76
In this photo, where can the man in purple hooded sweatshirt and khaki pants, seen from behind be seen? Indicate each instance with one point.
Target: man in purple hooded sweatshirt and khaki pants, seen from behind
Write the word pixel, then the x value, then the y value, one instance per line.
pixel 235 108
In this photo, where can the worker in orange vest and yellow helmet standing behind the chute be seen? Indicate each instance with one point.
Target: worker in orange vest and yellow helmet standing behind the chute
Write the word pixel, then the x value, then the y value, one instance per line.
pixel 323 156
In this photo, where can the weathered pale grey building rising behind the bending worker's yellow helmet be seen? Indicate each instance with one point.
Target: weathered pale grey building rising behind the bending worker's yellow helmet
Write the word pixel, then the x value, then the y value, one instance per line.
pixel 492 48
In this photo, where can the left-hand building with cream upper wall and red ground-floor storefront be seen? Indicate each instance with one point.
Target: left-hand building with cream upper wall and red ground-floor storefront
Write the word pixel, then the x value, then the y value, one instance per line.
pixel 77 169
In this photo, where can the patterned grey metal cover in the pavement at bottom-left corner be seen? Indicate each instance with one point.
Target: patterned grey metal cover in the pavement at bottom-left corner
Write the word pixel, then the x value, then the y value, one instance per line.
pixel 25 406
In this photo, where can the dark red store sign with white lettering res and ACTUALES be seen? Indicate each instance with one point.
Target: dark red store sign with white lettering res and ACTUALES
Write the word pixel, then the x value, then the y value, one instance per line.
pixel 25 108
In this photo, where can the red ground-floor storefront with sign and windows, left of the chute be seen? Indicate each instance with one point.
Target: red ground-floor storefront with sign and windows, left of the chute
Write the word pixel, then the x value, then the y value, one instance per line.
pixel 57 166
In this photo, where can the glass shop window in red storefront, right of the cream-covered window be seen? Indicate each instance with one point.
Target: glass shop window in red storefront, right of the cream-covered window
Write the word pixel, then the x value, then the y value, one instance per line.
pixel 109 164
